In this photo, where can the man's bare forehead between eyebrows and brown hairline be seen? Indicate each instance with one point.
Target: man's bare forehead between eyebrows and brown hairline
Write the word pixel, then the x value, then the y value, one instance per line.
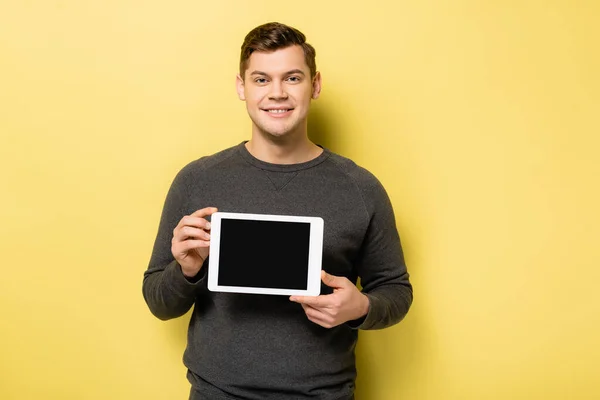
pixel 278 61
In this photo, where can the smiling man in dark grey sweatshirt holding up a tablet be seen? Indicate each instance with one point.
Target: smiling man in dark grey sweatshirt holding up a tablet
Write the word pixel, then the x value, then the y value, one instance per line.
pixel 246 346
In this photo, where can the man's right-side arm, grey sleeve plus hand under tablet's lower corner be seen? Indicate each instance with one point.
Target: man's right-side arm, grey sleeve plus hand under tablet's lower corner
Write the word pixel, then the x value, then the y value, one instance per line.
pixel 387 292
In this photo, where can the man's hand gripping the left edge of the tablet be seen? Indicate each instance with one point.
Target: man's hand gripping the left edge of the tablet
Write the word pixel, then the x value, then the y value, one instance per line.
pixel 191 241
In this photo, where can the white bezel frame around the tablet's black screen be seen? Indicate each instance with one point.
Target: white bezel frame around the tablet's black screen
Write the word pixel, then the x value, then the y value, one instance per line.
pixel 314 256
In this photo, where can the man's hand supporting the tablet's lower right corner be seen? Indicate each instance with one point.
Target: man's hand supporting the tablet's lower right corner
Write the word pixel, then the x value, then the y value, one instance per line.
pixel 346 303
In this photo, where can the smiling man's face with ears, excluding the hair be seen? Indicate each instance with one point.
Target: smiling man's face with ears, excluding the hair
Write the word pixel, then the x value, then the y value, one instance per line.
pixel 277 88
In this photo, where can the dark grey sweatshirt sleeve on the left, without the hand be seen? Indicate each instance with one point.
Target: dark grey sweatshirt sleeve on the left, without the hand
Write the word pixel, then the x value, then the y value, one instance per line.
pixel 168 293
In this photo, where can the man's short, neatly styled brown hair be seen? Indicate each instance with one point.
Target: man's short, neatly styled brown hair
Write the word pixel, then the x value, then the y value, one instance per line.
pixel 274 36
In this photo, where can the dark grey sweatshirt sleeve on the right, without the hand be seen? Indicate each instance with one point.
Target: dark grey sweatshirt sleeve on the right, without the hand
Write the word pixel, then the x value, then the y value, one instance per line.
pixel 380 266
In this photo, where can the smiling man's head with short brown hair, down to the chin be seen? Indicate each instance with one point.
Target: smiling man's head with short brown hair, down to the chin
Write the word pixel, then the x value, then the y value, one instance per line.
pixel 278 79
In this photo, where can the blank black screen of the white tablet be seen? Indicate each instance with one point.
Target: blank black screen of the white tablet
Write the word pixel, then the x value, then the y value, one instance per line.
pixel 267 254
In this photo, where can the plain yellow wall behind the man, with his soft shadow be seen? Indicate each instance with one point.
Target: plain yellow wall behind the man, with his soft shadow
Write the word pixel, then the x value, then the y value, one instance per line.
pixel 480 117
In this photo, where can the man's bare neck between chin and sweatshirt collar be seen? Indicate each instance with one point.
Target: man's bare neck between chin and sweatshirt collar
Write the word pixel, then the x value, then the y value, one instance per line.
pixel 288 150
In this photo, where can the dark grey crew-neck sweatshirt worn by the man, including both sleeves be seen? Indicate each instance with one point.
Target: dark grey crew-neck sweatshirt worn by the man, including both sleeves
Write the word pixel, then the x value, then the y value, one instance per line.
pixel 249 346
